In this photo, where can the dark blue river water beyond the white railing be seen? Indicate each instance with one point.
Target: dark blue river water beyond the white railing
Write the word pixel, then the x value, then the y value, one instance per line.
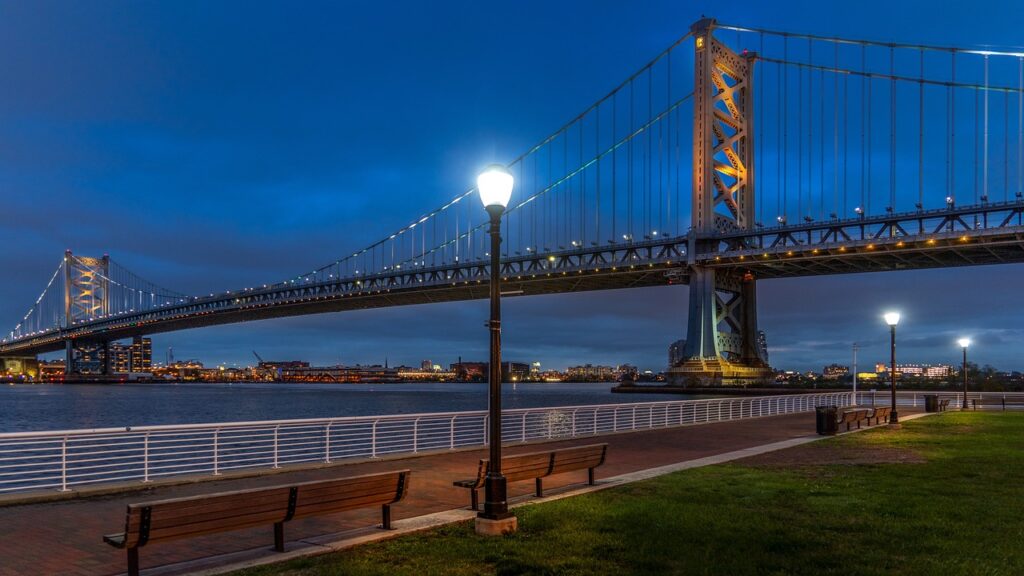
pixel 50 407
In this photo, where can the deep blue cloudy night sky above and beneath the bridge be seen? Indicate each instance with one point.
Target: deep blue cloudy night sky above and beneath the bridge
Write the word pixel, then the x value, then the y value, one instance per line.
pixel 216 146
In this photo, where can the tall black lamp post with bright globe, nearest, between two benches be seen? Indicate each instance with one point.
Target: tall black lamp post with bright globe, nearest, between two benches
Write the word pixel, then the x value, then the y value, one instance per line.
pixel 495 186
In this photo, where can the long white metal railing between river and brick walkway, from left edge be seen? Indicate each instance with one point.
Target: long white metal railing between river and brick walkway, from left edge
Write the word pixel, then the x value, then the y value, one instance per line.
pixel 64 460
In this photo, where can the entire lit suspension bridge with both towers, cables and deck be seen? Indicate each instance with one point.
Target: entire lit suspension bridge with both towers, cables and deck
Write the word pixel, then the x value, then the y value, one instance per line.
pixel 737 155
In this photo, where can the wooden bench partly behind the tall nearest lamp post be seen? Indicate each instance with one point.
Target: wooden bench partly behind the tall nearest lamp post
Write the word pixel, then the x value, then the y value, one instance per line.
pixel 538 466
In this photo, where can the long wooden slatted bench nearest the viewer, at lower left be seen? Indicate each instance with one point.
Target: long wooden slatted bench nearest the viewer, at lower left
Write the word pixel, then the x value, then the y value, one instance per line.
pixel 195 516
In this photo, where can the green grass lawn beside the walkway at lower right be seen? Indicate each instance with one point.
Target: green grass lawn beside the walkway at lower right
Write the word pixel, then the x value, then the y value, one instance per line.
pixel 945 496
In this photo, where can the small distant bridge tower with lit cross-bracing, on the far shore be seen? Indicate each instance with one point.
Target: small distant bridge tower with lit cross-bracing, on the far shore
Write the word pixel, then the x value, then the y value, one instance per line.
pixel 87 297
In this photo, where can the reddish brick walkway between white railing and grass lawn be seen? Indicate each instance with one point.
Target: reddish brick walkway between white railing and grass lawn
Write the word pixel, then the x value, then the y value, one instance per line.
pixel 66 538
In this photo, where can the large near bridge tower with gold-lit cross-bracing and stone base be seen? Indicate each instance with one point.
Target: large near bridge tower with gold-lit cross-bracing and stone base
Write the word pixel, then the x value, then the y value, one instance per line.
pixel 723 345
